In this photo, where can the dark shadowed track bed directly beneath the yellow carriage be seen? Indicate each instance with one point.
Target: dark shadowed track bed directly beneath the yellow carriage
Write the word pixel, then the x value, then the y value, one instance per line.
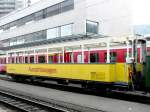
pixel 137 96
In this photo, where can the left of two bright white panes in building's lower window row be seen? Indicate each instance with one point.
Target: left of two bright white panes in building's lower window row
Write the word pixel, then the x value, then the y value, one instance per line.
pixel 52 33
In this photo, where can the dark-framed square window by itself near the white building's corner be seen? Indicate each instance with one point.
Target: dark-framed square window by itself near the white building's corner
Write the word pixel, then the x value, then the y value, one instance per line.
pixel 92 27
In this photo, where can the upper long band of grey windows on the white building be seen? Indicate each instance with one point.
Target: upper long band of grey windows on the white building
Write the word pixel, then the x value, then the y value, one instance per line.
pixel 56 9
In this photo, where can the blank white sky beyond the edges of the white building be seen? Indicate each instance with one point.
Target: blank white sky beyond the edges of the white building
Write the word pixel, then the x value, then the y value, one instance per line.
pixel 141 10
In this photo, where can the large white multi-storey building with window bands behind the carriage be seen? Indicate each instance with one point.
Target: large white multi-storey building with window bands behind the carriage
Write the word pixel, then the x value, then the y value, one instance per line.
pixel 53 22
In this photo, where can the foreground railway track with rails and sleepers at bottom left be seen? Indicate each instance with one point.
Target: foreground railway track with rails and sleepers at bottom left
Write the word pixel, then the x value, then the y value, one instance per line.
pixel 25 102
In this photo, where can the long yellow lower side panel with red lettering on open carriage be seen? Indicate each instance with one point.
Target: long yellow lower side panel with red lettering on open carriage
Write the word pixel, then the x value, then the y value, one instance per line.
pixel 95 72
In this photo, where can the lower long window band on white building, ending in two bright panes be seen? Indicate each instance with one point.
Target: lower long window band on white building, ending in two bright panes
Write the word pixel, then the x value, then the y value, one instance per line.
pixel 60 31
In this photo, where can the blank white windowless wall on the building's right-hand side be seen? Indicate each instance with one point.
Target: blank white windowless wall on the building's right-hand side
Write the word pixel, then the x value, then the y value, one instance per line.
pixel 114 16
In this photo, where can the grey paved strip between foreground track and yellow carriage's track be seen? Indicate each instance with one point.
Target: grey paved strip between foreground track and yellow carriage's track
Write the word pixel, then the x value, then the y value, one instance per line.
pixel 105 104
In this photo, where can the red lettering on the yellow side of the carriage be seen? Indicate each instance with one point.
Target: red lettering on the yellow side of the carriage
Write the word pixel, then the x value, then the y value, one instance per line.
pixel 46 70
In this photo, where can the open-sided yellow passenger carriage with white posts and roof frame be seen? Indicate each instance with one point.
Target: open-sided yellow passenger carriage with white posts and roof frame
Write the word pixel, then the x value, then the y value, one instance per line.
pixel 91 61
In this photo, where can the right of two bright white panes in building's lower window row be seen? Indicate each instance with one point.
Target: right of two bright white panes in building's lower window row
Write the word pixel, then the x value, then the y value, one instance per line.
pixel 66 30
